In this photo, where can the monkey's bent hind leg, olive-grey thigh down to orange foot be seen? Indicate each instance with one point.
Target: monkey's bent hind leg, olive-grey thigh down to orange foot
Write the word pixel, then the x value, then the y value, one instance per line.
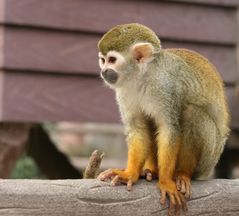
pixel 198 144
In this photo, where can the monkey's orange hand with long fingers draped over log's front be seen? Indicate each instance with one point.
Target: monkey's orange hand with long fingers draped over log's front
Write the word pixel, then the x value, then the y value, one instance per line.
pixel 176 199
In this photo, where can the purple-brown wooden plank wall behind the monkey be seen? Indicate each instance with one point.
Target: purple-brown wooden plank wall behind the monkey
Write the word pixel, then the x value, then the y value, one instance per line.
pixel 48 54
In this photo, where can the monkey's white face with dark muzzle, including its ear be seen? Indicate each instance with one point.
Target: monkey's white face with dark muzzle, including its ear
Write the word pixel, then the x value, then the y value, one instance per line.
pixel 118 68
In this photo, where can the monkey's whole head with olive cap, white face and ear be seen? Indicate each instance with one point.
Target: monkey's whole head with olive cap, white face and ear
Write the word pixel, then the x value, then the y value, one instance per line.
pixel 123 50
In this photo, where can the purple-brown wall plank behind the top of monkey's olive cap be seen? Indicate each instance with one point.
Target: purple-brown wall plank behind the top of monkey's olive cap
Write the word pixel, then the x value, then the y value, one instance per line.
pixel 171 20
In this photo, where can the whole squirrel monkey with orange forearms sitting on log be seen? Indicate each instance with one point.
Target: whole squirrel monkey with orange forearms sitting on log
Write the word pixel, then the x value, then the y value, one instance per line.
pixel 173 107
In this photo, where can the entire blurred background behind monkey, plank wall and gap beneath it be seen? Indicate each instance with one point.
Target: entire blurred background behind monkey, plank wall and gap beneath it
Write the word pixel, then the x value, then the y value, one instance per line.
pixel 55 110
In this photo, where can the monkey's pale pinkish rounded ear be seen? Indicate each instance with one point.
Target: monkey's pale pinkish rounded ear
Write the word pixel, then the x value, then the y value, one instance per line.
pixel 142 52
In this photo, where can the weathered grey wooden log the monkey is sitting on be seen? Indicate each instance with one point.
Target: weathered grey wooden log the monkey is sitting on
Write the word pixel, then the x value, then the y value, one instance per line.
pixel 92 197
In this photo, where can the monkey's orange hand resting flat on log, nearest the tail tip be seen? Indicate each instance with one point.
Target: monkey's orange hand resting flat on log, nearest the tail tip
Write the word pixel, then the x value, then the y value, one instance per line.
pixel 117 177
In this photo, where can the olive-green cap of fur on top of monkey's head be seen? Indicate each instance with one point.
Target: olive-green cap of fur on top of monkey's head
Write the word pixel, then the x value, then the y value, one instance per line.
pixel 121 37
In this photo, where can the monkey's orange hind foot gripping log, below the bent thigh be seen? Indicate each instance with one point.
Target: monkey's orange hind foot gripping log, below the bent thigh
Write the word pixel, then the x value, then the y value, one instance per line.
pixel 183 183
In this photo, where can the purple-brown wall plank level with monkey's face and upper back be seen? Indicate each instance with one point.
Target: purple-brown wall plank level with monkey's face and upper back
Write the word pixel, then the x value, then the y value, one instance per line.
pixel 68 52
